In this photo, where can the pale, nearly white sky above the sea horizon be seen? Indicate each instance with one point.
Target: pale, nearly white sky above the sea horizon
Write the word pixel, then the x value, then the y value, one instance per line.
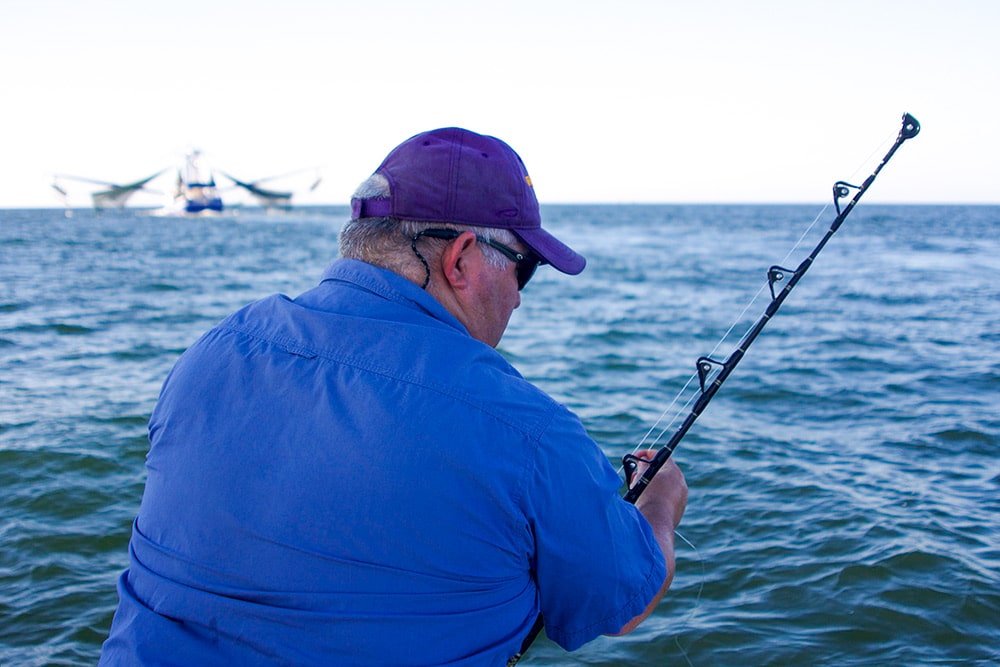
pixel 624 101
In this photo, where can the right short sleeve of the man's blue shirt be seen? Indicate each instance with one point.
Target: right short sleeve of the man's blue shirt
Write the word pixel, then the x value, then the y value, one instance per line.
pixel 597 564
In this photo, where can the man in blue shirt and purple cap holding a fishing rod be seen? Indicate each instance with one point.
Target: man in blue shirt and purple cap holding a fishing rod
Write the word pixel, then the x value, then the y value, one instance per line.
pixel 357 477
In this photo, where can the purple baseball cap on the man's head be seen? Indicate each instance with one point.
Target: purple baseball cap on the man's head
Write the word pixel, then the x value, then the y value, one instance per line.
pixel 457 176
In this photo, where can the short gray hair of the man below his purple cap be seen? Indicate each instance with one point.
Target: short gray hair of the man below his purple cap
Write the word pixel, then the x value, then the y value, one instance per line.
pixel 386 242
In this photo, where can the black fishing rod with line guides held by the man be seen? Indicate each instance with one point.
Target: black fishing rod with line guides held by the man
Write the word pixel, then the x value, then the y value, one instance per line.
pixel 709 384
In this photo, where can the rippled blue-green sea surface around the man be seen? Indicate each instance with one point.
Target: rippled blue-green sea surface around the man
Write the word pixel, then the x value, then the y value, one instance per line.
pixel 844 483
